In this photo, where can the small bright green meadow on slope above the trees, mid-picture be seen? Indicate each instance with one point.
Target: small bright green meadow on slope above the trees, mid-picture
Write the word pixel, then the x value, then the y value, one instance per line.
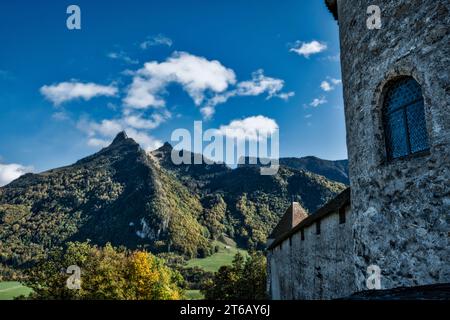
pixel 223 257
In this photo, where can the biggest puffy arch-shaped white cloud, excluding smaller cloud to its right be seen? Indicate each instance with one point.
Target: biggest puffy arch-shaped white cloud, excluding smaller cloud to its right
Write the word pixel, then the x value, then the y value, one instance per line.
pixel 196 75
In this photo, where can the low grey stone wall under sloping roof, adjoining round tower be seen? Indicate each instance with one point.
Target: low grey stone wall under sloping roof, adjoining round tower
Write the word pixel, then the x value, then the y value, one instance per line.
pixel 318 267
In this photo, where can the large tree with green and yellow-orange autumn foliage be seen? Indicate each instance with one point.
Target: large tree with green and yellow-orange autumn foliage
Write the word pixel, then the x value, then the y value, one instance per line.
pixel 106 273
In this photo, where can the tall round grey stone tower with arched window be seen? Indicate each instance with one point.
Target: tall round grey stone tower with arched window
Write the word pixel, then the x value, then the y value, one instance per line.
pixel 396 91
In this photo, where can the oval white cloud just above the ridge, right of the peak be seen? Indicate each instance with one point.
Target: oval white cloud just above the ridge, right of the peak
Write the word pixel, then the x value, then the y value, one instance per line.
pixel 251 128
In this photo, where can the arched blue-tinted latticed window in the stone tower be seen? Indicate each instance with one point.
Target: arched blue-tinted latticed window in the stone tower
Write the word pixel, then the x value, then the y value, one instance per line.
pixel 404 119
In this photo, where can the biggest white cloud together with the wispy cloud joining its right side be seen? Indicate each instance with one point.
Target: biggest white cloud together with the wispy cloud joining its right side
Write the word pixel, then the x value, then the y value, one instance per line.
pixel 207 82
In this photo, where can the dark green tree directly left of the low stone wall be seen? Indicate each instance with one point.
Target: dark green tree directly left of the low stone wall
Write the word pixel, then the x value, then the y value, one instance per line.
pixel 245 279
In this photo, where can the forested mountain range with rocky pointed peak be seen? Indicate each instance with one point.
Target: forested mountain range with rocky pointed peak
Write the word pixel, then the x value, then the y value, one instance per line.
pixel 128 197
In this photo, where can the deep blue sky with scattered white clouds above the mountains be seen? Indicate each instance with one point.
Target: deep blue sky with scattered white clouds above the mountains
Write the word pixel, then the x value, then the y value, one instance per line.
pixel 64 92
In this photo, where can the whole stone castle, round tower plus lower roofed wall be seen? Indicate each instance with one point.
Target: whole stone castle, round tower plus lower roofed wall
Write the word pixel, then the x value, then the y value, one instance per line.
pixel 395 215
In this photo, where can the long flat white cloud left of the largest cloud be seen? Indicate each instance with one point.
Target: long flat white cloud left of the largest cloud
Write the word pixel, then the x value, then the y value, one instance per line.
pixel 67 91
